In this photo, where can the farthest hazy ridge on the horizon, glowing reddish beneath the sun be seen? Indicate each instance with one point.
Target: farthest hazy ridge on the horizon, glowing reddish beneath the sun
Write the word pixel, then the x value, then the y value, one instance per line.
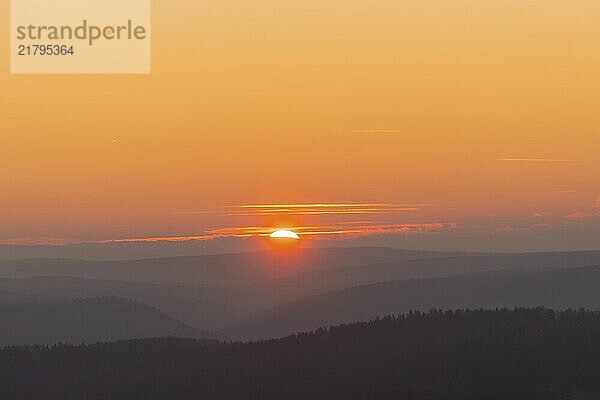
pixel 221 270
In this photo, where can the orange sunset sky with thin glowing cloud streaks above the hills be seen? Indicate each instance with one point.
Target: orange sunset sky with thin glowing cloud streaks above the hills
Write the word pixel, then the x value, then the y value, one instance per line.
pixel 334 118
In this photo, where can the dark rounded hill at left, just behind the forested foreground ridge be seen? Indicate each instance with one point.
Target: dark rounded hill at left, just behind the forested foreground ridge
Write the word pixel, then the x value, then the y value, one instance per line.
pixel 85 321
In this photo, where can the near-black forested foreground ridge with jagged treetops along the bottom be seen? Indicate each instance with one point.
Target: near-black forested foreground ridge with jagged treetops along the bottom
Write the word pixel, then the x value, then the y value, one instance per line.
pixel 469 355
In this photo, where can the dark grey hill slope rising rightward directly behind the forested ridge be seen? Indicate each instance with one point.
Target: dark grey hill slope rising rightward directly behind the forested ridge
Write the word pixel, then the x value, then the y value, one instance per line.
pixel 553 288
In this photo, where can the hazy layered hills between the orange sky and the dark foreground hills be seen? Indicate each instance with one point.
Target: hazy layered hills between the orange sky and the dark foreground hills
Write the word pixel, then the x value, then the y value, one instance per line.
pixel 275 293
